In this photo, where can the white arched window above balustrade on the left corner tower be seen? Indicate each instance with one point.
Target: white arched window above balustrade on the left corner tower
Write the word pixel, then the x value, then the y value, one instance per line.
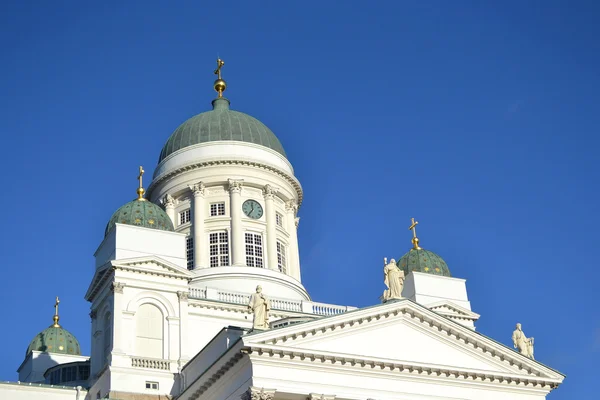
pixel 149 331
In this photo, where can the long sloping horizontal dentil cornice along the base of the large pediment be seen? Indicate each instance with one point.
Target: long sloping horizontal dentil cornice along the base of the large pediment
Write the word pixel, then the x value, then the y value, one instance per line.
pixel 319 359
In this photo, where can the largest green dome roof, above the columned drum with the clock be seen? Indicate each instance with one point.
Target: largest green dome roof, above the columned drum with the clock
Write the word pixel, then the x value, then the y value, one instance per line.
pixel 221 124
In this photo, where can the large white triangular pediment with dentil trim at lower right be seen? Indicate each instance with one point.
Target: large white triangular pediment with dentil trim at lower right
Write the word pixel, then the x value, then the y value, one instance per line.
pixel 403 333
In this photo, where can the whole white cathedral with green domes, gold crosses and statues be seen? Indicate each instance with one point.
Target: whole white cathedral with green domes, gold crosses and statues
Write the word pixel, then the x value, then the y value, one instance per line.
pixel 197 294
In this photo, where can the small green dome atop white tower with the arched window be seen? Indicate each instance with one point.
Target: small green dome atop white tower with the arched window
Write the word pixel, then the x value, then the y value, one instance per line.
pixel 141 213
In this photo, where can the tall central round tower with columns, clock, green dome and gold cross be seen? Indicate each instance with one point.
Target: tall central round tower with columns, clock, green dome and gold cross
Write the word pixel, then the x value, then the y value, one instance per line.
pixel 224 180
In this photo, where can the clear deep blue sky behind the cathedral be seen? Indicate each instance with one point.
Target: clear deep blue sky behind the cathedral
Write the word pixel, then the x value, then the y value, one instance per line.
pixel 480 119
